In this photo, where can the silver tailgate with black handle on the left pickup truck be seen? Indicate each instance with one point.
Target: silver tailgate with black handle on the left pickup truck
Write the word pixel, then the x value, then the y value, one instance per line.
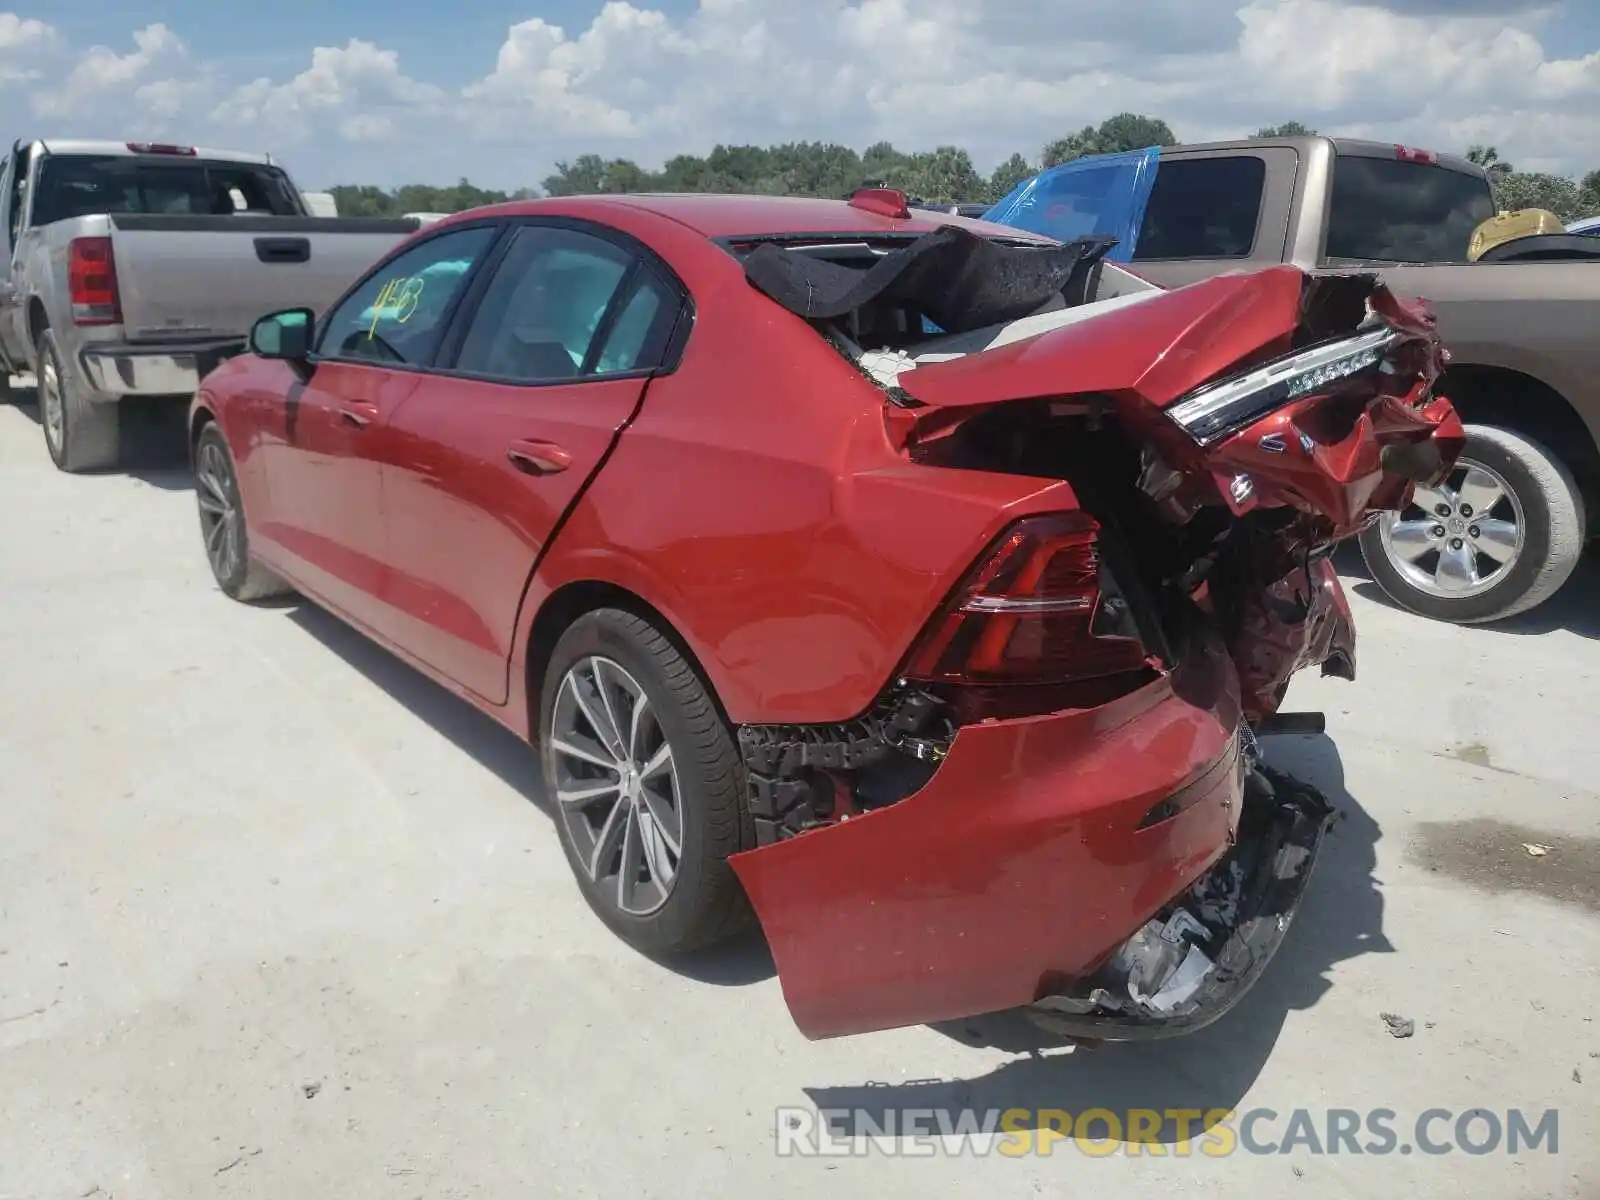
pixel 214 276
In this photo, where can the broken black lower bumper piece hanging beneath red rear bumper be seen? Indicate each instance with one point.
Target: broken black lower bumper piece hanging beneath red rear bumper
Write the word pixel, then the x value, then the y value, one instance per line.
pixel 1206 982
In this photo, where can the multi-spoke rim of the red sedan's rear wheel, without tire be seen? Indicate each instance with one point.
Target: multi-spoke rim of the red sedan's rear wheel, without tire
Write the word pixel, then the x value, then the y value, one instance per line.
pixel 617 785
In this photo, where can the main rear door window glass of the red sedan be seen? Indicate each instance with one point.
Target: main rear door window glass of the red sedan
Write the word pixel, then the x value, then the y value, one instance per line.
pixel 542 311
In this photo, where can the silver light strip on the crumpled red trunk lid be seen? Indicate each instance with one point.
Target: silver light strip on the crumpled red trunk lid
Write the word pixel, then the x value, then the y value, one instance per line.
pixel 1222 409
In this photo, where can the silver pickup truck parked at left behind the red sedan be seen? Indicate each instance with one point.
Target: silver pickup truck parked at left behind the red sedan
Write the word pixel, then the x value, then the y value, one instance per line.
pixel 135 268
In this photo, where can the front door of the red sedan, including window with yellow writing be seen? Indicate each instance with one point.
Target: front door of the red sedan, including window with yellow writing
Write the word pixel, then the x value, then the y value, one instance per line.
pixel 326 446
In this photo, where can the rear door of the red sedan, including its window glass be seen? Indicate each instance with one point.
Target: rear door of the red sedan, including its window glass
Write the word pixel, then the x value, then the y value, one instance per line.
pixel 545 369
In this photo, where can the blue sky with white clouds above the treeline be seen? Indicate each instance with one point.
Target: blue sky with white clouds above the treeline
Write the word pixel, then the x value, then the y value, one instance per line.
pixel 404 90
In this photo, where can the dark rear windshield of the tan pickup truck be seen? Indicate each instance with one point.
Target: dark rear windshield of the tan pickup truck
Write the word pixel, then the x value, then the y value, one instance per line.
pixel 1404 212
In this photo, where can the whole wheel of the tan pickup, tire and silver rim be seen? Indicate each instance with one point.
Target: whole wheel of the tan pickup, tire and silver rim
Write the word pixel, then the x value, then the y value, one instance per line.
pixel 1500 537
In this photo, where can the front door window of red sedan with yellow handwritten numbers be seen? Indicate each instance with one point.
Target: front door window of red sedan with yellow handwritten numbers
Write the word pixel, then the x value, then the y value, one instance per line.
pixel 401 311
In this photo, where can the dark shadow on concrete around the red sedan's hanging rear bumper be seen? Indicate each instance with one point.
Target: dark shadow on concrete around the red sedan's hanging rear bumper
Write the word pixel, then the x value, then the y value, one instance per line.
pixel 1209 1071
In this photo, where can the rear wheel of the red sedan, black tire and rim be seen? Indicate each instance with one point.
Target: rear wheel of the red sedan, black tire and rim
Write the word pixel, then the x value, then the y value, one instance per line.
pixel 647 785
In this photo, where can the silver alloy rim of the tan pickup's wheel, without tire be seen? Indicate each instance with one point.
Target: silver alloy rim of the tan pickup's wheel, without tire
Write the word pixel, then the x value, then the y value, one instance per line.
pixel 1460 538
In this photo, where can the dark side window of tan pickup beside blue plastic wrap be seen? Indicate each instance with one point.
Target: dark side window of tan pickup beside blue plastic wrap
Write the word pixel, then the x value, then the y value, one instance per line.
pixel 1204 209
